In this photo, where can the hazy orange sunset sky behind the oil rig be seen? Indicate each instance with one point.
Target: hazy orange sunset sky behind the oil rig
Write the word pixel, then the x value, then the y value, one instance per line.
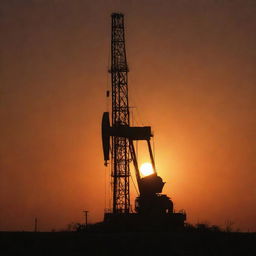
pixel 192 77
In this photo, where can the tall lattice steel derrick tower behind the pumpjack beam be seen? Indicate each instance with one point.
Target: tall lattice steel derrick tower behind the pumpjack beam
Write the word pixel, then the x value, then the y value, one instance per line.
pixel 120 170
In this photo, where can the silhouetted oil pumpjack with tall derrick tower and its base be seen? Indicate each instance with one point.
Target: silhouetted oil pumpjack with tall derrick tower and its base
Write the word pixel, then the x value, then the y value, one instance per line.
pixel 152 207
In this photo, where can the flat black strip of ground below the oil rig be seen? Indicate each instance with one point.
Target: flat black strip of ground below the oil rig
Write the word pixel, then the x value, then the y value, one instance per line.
pixel 128 243
